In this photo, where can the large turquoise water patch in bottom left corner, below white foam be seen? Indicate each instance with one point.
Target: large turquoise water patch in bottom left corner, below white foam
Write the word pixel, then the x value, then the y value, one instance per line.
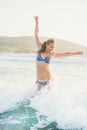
pixel 21 118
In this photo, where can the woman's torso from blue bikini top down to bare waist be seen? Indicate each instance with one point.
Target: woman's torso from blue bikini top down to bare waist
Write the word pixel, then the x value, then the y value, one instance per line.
pixel 42 66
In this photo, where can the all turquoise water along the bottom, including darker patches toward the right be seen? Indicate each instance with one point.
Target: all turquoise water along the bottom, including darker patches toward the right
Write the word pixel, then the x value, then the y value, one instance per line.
pixel 23 118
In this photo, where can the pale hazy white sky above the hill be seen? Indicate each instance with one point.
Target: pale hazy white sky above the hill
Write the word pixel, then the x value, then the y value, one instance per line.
pixel 63 19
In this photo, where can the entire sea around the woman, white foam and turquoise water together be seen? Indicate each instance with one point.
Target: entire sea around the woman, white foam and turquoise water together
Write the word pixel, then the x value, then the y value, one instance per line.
pixel 63 107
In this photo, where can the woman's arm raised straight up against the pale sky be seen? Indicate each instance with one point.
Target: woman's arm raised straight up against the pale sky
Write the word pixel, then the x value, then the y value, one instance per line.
pixel 37 32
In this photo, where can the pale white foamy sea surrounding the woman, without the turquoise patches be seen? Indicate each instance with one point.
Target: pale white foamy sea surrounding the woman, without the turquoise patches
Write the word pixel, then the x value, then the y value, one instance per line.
pixel 66 103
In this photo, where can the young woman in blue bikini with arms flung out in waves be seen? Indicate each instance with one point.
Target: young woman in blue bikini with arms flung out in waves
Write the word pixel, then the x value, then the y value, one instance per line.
pixel 44 55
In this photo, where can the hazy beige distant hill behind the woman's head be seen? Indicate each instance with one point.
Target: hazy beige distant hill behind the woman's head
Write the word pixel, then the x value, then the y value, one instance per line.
pixel 26 44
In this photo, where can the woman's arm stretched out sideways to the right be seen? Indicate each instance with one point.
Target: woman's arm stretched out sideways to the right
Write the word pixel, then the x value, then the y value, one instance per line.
pixel 67 54
